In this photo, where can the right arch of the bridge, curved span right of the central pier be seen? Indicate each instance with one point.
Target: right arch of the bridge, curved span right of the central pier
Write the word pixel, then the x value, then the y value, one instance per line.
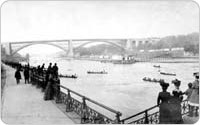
pixel 114 44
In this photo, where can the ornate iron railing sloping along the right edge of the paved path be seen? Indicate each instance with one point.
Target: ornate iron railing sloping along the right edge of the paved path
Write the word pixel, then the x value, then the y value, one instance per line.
pixel 81 107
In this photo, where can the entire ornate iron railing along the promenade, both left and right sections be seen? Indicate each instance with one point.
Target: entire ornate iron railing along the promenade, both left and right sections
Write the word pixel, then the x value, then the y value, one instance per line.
pixel 90 115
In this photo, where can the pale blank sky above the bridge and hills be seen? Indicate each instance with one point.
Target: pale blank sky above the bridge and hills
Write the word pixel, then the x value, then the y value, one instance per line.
pixel 49 20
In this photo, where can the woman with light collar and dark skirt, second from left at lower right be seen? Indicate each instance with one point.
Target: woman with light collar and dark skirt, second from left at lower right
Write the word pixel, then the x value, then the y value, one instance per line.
pixel 175 103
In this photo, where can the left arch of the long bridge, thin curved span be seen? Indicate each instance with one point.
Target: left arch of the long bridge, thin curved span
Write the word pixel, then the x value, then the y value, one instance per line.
pixel 22 47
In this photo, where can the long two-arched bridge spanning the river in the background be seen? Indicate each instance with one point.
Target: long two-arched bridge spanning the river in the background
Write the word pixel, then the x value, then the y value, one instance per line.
pixel 69 45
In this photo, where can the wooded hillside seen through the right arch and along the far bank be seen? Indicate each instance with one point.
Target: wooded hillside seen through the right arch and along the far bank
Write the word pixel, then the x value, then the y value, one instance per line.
pixel 189 42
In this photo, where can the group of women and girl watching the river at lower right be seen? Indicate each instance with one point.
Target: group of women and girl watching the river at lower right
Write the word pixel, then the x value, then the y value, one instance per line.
pixel 170 104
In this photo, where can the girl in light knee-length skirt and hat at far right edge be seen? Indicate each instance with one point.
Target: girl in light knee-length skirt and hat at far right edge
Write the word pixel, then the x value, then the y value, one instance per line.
pixel 194 98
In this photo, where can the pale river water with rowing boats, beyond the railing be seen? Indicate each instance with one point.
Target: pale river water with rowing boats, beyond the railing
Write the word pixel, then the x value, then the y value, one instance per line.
pixel 122 88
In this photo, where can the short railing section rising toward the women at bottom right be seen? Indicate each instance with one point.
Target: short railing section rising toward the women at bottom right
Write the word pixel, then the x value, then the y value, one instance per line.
pixel 150 115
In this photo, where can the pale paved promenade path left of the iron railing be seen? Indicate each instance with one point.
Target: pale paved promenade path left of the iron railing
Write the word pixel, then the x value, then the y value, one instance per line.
pixel 24 104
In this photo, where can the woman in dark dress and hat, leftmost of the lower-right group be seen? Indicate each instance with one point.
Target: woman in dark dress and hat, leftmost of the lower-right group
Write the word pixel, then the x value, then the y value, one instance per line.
pixel 163 102
